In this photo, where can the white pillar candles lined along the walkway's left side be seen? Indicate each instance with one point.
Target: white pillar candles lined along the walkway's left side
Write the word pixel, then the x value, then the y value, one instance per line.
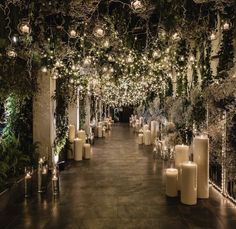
pixel 80 144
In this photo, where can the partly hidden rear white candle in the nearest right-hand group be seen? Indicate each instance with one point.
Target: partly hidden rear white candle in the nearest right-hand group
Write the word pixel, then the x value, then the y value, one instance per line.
pixel 181 155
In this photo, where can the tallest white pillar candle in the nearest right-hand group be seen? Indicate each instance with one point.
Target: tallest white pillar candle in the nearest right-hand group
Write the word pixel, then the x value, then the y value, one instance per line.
pixel 201 158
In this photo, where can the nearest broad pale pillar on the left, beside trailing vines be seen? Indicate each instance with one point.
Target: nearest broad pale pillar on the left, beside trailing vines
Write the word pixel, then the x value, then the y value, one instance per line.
pixel 44 125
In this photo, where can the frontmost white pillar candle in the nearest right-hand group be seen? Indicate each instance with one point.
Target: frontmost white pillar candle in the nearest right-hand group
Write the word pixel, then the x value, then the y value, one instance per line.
pixel 189 183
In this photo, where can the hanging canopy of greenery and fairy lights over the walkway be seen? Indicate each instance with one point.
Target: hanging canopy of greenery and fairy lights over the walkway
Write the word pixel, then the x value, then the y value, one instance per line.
pixel 153 55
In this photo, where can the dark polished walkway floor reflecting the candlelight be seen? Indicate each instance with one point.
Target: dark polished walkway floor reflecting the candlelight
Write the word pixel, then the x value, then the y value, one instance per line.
pixel 120 187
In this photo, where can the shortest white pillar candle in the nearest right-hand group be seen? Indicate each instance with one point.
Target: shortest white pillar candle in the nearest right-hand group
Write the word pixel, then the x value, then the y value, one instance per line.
pixel 171 182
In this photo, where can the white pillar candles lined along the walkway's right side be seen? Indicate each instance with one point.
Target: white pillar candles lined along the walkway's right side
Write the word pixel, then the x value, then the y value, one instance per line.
pixel 191 178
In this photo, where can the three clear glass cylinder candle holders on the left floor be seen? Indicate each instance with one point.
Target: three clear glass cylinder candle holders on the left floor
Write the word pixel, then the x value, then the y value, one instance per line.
pixel 42 178
